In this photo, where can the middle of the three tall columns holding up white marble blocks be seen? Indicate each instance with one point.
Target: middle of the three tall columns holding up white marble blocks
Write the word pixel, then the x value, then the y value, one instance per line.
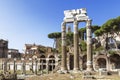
pixel 76 48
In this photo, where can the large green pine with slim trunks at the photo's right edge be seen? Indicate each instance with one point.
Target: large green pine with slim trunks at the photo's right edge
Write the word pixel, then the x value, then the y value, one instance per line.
pixel 111 27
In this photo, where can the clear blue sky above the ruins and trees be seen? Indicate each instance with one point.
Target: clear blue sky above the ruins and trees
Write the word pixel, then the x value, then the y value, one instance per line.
pixel 30 21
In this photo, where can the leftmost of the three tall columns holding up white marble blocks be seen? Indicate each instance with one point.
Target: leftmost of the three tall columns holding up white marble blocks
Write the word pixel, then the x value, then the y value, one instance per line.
pixel 64 55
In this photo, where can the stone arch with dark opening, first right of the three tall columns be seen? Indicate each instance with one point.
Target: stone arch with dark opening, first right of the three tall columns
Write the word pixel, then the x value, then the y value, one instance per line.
pixel 101 61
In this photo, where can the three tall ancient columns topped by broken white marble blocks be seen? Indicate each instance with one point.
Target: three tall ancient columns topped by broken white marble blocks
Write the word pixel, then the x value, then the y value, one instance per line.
pixel 75 17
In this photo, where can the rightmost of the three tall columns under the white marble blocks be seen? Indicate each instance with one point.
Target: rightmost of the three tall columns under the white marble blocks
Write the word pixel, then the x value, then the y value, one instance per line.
pixel 89 45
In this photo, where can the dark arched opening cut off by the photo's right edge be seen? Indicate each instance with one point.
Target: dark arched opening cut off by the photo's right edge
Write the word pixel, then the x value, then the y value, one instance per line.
pixel 115 61
